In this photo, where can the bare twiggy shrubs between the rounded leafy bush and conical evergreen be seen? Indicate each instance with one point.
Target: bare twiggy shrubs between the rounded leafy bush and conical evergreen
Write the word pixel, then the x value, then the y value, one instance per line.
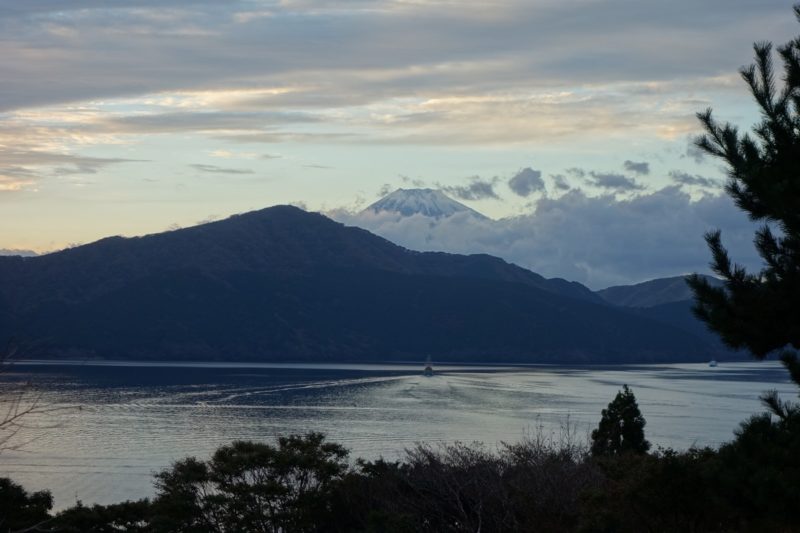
pixel 533 485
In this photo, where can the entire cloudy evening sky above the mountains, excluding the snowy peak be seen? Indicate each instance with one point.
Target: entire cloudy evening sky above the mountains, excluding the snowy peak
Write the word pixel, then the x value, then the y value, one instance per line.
pixel 568 122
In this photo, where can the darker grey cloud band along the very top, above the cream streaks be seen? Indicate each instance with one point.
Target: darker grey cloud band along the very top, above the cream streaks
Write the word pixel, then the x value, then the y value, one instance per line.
pixel 348 52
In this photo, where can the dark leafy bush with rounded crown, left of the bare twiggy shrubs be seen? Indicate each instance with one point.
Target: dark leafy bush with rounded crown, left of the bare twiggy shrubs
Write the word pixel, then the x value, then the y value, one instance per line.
pixel 249 486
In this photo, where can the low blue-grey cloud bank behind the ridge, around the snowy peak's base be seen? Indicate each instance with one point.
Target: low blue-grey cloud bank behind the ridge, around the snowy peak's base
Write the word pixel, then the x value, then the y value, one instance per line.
pixel 597 240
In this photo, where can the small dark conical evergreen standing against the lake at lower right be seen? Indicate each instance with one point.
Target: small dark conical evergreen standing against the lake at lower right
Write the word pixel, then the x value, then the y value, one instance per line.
pixel 621 428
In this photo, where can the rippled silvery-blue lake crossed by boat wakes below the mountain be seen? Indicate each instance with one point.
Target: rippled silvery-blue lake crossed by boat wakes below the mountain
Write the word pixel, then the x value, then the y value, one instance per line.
pixel 121 422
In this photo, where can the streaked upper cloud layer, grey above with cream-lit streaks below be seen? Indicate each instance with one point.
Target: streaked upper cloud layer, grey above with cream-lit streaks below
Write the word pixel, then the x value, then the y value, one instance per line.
pixel 521 72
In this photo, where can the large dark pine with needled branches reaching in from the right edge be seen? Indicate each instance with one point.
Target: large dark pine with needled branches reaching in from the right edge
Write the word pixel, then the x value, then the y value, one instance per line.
pixel 760 311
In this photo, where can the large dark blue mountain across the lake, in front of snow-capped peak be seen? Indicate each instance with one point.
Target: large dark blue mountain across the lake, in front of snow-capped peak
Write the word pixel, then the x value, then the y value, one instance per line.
pixel 283 284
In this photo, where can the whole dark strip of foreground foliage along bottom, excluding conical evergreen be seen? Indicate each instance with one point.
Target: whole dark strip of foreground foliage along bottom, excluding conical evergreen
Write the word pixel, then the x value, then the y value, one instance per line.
pixel 303 483
